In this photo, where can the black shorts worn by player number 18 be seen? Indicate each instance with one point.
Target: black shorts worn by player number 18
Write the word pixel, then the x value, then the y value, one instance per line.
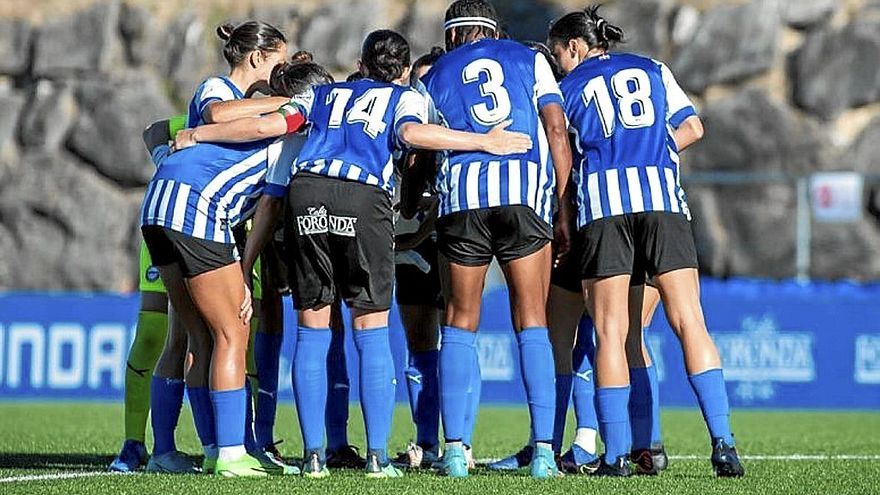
pixel 642 245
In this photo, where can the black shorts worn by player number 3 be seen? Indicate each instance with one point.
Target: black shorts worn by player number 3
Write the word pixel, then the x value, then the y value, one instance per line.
pixel 473 237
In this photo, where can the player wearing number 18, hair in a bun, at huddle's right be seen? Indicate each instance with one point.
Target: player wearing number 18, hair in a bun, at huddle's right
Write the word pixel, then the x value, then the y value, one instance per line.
pixel 632 119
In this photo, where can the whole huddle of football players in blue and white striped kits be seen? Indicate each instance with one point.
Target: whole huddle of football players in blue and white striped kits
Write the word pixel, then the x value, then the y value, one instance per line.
pixel 560 161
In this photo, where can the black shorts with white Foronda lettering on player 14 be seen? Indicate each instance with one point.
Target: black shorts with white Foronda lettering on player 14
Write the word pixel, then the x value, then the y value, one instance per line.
pixel 339 238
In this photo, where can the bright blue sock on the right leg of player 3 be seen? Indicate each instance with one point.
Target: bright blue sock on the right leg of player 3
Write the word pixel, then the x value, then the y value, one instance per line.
pixel 538 374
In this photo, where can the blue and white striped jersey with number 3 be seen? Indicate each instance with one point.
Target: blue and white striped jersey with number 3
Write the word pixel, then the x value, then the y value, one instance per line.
pixel 476 87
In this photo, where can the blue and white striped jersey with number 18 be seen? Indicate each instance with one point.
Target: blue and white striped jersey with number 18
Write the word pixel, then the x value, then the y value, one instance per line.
pixel 623 108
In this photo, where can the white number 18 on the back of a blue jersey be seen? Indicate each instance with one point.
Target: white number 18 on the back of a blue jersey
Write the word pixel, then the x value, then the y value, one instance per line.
pixel 632 87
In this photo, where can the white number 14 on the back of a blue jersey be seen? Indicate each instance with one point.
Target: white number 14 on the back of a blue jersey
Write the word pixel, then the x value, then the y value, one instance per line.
pixel 369 109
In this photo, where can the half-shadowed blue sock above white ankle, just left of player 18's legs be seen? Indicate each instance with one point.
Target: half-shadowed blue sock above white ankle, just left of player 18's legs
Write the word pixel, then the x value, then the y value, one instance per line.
pixel 583 385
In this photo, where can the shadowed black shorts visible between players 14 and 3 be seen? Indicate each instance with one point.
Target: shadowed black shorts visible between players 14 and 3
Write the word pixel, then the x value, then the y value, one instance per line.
pixel 415 287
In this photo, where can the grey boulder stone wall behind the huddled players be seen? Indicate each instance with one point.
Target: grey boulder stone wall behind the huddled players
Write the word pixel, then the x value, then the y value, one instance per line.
pixel 788 86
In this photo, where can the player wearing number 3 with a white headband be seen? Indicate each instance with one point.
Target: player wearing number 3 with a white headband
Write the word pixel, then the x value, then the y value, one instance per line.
pixel 497 208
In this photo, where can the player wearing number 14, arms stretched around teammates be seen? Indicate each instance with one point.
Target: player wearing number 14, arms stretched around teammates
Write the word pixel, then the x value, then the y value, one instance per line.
pixel 339 229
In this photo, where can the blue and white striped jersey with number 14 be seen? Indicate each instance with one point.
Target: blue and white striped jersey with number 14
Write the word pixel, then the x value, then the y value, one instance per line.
pixel 353 132
